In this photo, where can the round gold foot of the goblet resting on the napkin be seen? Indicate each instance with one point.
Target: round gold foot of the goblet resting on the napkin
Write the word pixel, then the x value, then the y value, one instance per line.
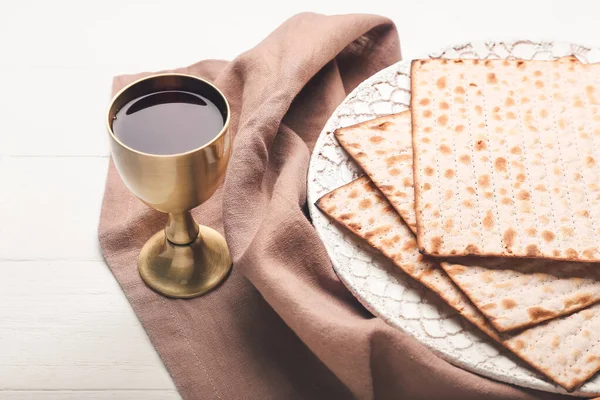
pixel 184 271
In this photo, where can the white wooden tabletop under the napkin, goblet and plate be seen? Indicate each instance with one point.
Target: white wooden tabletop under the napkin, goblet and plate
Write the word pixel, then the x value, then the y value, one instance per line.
pixel 66 329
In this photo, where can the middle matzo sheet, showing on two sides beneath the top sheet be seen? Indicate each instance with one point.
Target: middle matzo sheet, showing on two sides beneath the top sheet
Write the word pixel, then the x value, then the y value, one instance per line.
pixel 511 293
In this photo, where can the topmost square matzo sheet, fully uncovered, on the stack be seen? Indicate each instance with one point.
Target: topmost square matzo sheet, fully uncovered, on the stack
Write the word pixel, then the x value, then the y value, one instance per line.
pixel 507 154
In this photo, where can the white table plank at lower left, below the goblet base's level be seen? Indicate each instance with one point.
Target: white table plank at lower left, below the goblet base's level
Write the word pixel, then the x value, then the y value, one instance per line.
pixel 67 325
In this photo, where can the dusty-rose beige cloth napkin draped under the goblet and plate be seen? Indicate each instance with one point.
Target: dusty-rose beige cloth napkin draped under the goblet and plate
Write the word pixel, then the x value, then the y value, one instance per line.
pixel 282 326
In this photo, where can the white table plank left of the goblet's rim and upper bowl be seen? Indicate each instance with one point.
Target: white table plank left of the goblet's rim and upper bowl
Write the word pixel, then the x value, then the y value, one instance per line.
pixel 48 119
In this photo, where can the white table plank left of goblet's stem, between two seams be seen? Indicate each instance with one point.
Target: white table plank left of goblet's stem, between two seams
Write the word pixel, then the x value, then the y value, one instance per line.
pixel 50 207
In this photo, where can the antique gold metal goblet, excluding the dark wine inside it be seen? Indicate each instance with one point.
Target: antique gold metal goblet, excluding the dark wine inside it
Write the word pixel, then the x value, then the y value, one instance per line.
pixel 183 260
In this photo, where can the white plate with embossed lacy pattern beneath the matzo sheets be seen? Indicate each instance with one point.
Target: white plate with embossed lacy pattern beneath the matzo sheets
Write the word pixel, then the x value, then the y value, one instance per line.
pixel 375 281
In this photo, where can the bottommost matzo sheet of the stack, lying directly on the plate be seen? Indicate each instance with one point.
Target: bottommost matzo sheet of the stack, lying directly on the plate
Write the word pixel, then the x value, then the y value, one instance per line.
pixel 567 349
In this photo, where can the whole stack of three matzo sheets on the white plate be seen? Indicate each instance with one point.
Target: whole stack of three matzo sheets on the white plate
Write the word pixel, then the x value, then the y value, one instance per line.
pixel 496 162
